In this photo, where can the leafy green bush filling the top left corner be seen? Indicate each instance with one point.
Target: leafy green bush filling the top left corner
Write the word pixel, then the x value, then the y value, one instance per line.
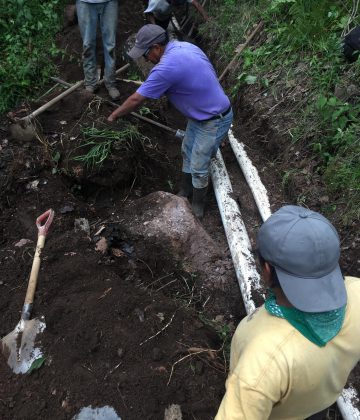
pixel 27 41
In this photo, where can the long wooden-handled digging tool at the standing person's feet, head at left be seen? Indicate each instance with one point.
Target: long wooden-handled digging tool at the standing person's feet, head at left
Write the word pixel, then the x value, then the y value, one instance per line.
pixel 25 129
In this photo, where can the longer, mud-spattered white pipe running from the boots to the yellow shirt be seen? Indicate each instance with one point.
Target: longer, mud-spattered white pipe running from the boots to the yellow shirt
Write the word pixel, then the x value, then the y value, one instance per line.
pixel 237 237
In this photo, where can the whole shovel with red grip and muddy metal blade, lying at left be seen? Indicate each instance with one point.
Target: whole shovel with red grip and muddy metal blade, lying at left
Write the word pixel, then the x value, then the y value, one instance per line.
pixel 18 346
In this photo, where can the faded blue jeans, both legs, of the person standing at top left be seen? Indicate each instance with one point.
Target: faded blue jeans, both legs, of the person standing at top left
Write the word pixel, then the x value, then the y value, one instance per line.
pixel 88 16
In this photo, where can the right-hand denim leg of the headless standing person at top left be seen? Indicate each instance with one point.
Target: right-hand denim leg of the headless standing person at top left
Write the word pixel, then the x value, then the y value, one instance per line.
pixel 108 25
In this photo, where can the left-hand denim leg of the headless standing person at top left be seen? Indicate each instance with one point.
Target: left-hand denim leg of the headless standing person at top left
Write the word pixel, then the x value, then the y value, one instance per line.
pixel 87 18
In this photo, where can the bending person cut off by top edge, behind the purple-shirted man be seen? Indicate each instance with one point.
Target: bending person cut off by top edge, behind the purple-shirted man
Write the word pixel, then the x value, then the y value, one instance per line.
pixel 159 11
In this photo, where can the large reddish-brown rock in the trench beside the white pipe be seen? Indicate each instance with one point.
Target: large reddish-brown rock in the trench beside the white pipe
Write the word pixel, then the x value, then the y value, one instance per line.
pixel 166 220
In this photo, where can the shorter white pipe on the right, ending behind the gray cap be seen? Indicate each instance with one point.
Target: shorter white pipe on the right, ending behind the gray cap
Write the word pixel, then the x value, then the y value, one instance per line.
pixel 252 177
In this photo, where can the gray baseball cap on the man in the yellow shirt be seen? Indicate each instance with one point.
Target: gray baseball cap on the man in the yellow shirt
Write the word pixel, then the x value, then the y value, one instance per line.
pixel 304 248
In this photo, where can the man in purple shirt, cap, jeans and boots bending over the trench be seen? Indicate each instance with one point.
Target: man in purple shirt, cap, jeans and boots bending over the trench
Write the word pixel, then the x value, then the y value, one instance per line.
pixel 185 75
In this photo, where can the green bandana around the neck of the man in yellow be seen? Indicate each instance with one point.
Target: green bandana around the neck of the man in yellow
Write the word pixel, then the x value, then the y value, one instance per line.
pixel 318 327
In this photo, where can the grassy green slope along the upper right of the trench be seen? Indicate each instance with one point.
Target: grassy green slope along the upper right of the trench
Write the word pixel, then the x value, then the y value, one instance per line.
pixel 299 59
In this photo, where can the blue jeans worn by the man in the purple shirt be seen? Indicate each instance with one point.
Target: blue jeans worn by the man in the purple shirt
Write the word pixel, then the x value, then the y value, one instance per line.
pixel 201 142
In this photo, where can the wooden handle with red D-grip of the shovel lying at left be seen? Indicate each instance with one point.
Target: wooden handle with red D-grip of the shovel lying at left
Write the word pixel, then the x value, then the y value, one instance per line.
pixel 48 217
